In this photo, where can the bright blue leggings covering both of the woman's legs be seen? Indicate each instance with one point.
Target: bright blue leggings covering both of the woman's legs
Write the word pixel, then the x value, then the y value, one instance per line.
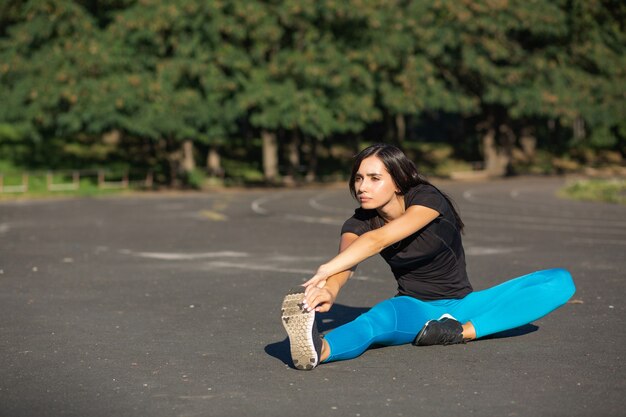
pixel 397 321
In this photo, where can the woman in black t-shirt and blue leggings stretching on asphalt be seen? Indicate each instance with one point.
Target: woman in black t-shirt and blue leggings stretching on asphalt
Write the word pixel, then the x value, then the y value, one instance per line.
pixel 417 230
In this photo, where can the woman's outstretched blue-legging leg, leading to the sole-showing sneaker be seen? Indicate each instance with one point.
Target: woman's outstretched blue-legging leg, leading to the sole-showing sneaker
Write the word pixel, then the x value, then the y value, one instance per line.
pixel 392 322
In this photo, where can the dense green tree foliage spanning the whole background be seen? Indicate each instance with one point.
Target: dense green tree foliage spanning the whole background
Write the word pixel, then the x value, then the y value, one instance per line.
pixel 157 73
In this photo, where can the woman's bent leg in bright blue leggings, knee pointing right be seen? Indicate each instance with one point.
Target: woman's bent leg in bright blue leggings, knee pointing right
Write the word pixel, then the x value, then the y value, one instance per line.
pixel 516 302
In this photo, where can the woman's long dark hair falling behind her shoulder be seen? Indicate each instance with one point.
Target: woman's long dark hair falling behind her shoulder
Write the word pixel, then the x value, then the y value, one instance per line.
pixel 402 170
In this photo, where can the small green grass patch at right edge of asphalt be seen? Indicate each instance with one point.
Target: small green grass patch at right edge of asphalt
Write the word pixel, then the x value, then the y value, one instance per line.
pixel 608 191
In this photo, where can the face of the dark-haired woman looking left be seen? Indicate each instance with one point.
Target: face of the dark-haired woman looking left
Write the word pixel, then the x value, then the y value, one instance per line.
pixel 374 186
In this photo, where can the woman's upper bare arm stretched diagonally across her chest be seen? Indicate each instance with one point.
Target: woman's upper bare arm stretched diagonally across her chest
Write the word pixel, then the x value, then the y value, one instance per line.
pixel 373 242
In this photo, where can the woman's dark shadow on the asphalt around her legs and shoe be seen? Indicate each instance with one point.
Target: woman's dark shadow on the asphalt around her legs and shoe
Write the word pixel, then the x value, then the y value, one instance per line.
pixel 341 314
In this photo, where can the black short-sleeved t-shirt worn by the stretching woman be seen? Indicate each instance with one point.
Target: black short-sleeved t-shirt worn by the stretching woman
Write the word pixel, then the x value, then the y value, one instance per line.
pixel 429 264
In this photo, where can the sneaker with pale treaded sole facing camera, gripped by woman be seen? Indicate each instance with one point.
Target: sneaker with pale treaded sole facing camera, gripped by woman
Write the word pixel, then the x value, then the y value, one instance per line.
pixel 304 340
